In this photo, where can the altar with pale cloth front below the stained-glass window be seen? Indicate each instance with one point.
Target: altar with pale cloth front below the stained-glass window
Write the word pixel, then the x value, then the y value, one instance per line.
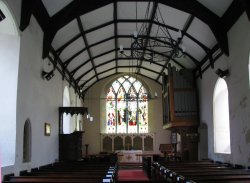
pixel 129 156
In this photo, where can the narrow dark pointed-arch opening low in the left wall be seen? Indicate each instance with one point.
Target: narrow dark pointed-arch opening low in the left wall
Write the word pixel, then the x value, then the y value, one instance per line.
pixel 27 141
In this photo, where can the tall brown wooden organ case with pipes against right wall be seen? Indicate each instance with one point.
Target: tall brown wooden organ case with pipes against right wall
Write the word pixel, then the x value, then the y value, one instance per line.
pixel 180 111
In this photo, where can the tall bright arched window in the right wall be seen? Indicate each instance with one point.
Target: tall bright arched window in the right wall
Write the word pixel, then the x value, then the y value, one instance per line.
pixel 221 118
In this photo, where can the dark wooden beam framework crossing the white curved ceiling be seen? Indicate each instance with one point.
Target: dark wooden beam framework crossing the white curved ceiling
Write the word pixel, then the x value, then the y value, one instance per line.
pixel 51 25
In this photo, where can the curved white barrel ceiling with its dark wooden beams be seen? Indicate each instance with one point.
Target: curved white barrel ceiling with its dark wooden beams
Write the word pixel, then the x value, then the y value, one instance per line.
pixel 82 39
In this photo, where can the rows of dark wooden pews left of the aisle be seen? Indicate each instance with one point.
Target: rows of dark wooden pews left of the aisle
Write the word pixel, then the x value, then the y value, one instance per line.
pixel 69 172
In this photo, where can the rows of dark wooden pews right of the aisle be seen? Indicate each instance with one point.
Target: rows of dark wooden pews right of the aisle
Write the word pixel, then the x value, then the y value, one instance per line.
pixel 198 172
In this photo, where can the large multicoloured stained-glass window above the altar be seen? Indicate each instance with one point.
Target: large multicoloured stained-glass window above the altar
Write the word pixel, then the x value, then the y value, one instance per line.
pixel 127 106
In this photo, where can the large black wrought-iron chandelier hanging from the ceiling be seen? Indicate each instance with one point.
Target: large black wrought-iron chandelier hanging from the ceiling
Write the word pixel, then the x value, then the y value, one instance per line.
pixel 157 46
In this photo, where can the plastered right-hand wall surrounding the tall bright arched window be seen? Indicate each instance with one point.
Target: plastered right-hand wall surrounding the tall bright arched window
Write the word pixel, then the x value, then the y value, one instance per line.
pixel 239 98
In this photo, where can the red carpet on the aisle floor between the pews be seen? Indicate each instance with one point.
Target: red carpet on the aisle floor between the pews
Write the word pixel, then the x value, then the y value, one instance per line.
pixel 134 175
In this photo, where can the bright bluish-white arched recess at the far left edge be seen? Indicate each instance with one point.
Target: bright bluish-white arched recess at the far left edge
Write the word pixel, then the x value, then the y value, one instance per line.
pixel 9 62
